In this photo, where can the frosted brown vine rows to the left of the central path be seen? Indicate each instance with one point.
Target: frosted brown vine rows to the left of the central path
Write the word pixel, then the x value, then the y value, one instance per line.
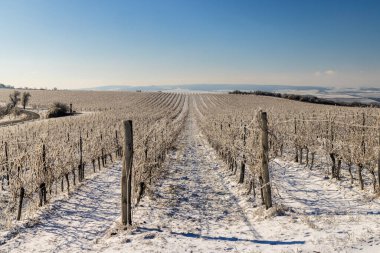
pixel 43 158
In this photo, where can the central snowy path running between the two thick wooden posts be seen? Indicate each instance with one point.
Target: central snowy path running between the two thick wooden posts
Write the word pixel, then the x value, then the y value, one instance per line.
pixel 192 209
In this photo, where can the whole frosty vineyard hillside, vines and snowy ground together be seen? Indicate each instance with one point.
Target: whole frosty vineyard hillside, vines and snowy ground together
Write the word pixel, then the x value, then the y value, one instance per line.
pixel 198 167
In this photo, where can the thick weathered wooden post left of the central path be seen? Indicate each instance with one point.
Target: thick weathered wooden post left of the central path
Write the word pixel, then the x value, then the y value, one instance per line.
pixel 126 174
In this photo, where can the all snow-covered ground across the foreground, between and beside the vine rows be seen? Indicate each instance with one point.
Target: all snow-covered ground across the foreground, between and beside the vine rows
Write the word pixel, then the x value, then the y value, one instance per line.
pixel 198 206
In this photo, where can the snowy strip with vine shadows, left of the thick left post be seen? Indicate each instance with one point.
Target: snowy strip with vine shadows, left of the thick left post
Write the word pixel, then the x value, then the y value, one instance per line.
pixel 74 224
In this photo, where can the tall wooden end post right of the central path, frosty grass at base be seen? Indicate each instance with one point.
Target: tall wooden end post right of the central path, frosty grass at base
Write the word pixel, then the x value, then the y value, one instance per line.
pixel 265 161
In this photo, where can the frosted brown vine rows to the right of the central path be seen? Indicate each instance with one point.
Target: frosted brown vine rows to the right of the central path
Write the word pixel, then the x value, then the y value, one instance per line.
pixel 342 141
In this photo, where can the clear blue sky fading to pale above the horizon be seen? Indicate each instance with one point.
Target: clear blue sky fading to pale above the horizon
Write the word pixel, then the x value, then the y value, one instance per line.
pixel 87 43
